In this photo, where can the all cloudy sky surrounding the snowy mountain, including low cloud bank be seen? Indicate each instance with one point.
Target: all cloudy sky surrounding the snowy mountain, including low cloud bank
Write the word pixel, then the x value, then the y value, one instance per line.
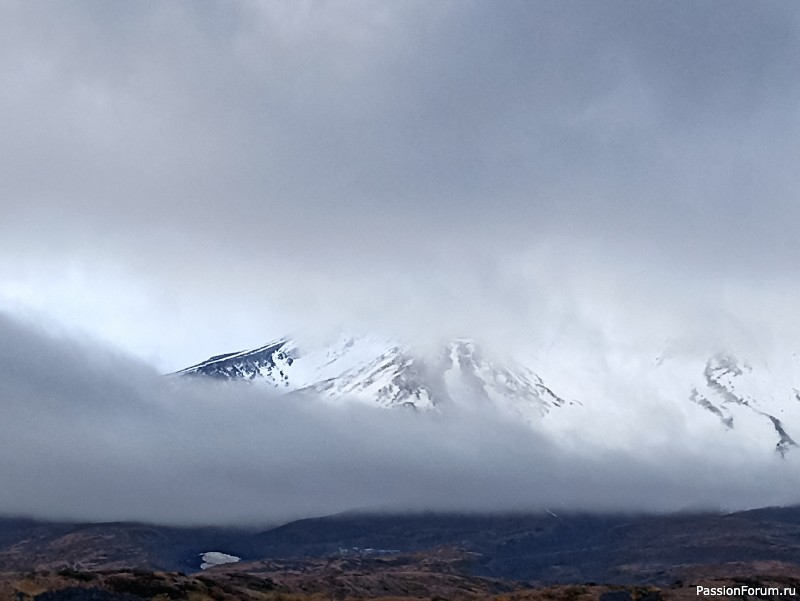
pixel 591 181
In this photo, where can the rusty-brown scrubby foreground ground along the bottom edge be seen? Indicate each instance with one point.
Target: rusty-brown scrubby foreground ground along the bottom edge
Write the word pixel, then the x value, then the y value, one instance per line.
pixel 431 577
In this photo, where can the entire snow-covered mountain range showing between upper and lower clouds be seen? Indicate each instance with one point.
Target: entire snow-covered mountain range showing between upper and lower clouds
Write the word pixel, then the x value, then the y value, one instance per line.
pixel 759 406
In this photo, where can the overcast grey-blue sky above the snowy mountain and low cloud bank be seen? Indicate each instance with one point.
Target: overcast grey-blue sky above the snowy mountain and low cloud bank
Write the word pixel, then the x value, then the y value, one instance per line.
pixel 184 179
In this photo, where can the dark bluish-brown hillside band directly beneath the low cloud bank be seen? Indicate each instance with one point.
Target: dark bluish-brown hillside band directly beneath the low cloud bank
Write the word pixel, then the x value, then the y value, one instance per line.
pixel 534 548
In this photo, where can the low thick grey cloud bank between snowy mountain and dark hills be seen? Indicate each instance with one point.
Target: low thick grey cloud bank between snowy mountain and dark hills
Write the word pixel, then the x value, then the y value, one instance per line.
pixel 88 434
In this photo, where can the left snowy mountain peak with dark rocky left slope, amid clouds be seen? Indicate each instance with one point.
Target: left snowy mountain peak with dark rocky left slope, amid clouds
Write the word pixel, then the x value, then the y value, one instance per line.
pixel 390 374
